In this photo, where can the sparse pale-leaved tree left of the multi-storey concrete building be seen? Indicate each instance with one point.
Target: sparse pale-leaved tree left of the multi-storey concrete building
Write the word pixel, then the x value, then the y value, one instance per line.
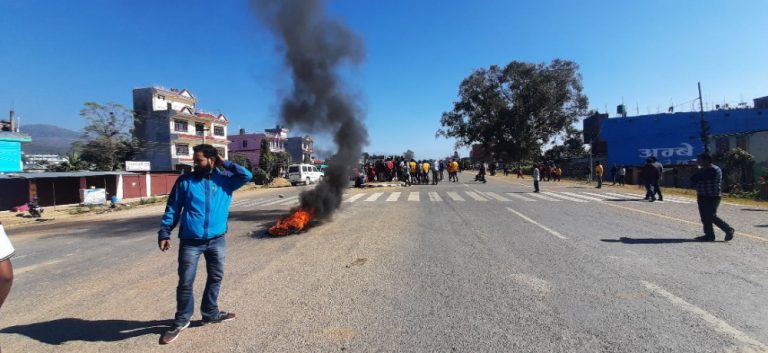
pixel 109 142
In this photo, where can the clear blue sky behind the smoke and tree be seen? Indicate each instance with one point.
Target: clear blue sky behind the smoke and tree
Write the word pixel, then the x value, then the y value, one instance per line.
pixel 56 55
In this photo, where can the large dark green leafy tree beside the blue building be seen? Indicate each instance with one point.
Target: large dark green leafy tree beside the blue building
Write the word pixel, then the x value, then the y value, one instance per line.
pixel 515 110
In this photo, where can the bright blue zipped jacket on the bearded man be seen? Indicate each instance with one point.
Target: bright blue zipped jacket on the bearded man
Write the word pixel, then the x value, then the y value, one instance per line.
pixel 202 204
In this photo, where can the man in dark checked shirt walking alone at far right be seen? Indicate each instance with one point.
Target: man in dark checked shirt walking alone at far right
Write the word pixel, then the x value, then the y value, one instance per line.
pixel 708 181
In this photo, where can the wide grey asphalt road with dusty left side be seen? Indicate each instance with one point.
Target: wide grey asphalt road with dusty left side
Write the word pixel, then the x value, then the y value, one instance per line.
pixel 457 267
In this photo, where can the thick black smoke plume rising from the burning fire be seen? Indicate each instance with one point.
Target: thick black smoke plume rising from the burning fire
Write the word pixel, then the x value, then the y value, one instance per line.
pixel 314 48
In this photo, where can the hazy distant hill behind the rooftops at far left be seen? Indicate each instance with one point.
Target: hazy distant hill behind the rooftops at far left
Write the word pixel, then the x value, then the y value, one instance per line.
pixel 48 139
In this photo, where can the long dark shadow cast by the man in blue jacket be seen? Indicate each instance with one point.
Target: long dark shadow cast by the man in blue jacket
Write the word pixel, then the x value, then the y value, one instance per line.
pixel 61 331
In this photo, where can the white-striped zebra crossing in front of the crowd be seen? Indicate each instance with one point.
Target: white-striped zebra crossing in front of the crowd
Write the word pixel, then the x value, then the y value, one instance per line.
pixel 466 196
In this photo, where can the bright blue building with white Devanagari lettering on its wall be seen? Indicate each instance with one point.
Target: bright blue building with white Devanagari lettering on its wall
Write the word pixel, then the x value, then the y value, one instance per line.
pixel 673 138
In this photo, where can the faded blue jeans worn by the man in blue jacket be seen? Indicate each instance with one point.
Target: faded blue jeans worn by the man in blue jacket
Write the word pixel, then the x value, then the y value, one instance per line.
pixel 214 251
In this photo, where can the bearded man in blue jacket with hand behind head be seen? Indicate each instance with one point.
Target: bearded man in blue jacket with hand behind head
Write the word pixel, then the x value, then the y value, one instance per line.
pixel 200 202
